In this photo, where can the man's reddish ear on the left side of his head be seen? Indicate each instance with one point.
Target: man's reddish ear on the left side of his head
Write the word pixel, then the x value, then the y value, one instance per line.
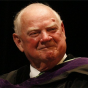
pixel 18 42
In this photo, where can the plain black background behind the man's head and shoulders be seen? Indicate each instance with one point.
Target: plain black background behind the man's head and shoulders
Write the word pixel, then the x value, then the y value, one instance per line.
pixel 74 15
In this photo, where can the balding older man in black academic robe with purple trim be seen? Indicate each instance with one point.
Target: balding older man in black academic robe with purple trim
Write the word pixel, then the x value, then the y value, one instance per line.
pixel 40 34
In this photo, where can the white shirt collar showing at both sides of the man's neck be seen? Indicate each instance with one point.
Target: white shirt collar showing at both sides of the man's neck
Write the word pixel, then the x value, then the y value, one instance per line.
pixel 34 72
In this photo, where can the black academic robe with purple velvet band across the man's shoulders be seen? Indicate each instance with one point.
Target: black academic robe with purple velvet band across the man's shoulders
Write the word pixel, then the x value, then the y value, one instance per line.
pixel 75 77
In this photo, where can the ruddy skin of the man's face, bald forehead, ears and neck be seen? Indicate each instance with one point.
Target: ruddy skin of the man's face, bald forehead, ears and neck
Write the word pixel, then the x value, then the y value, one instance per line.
pixel 42 37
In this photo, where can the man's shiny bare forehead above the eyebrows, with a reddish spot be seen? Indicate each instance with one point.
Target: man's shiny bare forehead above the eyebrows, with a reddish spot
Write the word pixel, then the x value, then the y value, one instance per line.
pixel 35 15
